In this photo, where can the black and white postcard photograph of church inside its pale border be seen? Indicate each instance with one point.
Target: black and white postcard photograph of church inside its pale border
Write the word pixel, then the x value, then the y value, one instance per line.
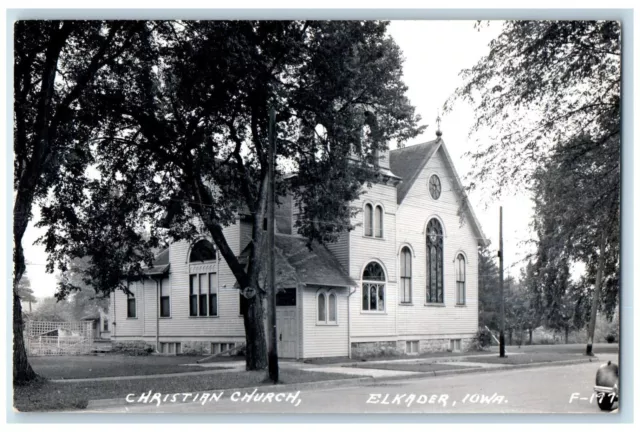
pixel 316 216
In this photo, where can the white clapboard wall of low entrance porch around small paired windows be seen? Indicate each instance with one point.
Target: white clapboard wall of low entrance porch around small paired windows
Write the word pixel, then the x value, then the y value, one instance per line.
pixel 324 340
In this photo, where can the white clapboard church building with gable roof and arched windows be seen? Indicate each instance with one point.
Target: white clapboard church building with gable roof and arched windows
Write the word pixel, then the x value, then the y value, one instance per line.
pixel 403 281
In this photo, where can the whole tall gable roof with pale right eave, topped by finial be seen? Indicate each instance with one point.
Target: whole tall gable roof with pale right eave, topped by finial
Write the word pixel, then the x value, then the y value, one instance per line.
pixel 409 161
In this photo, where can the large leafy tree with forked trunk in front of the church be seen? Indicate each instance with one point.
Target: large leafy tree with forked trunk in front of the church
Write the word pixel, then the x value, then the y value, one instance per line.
pixel 184 145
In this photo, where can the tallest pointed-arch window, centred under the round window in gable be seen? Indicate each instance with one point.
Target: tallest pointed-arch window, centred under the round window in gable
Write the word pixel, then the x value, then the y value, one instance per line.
pixel 436 245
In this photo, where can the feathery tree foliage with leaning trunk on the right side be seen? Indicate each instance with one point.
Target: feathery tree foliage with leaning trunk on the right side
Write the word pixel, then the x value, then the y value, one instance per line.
pixel 548 97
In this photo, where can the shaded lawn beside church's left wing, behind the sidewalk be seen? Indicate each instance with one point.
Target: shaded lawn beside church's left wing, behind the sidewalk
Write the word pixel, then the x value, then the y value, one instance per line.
pixel 110 365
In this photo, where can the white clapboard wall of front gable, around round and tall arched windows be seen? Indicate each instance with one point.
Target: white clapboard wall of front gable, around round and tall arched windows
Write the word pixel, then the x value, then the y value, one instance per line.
pixel 412 216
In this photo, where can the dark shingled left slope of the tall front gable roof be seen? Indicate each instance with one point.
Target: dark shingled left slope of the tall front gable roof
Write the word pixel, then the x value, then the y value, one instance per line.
pixel 408 162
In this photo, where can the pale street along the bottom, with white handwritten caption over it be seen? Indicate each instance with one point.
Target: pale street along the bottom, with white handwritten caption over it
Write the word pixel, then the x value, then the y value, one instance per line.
pixel 553 389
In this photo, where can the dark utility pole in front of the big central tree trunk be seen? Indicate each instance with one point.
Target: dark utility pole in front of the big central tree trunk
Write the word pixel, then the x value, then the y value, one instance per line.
pixel 271 229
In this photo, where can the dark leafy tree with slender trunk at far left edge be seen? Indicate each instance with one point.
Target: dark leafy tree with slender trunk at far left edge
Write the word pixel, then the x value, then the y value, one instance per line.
pixel 55 63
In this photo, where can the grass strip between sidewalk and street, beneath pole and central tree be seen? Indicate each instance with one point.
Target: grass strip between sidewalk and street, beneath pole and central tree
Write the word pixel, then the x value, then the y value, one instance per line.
pixel 49 396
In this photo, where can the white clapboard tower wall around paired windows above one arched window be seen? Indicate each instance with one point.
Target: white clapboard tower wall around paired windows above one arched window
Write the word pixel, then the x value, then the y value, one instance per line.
pixel 365 249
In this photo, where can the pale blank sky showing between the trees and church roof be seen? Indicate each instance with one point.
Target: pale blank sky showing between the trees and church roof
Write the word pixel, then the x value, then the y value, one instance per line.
pixel 435 52
